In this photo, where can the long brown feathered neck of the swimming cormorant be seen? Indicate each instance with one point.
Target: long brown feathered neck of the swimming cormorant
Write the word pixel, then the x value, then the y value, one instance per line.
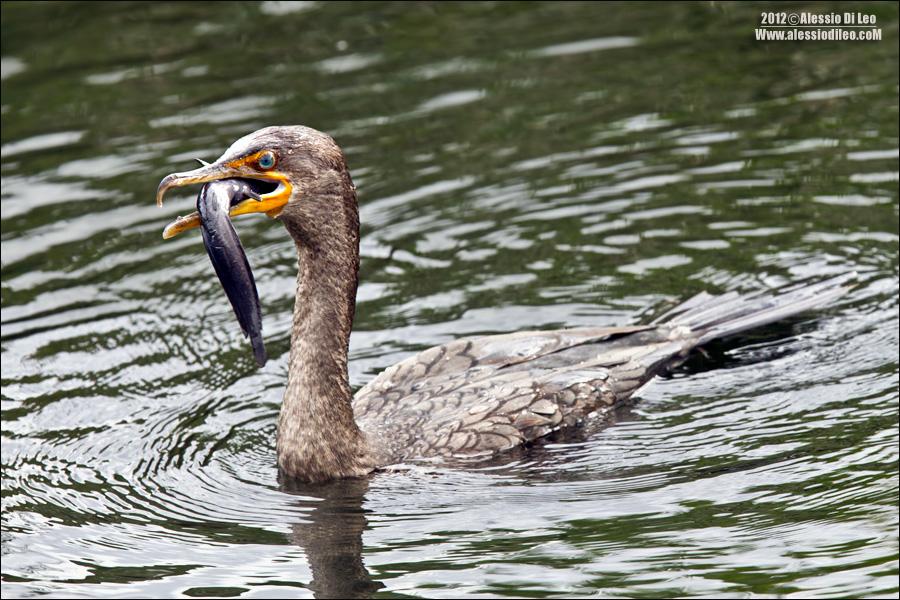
pixel 318 438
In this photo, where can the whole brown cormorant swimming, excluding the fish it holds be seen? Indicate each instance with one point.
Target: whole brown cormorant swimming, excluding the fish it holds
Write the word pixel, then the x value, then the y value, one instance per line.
pixel 461 398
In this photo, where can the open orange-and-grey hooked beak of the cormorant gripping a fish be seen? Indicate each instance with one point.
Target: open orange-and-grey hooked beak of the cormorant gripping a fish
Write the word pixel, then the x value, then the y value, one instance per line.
pixel 269 203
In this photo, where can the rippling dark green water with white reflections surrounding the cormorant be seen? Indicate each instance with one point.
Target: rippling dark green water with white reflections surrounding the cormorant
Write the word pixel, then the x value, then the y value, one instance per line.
pixel 519 166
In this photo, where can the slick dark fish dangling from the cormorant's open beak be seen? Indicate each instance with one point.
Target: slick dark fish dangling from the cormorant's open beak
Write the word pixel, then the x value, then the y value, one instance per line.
pixel 228 257
